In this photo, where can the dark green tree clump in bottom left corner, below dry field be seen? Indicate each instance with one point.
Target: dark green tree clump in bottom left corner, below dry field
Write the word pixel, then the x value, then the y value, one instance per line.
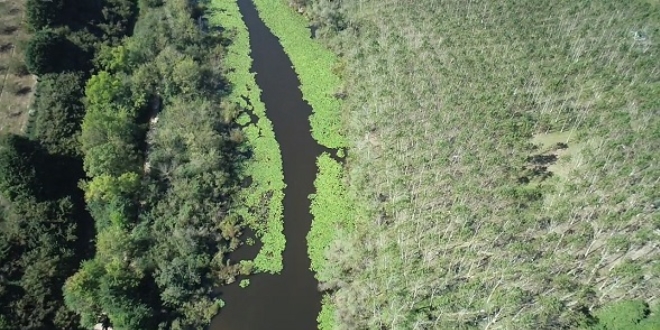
pixel 38 231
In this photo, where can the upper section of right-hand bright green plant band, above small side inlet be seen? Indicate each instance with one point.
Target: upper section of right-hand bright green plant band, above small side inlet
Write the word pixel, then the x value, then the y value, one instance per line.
pixel 314 65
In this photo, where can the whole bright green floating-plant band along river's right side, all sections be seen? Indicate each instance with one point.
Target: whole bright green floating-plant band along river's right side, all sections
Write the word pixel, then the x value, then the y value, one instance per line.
pixel 317 69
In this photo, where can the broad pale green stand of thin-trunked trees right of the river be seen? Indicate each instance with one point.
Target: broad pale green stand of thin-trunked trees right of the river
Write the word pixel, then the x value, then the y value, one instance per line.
pixel 472 224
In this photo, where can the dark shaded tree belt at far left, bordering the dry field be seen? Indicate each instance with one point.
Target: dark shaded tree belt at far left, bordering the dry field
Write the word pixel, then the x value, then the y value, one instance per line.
pixel 44 227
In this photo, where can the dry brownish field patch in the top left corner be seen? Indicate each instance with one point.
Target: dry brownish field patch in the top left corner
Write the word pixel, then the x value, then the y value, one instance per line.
pixel 16 85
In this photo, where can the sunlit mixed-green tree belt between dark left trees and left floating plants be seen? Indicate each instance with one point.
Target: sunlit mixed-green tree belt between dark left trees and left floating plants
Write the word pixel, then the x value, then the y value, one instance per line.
pixel 162 156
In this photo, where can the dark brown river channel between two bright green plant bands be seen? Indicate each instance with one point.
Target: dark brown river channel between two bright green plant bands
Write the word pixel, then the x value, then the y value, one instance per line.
pixel 289 301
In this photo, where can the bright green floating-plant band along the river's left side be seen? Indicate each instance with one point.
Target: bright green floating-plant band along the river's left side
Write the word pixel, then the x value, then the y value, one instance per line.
pixel 265 169
